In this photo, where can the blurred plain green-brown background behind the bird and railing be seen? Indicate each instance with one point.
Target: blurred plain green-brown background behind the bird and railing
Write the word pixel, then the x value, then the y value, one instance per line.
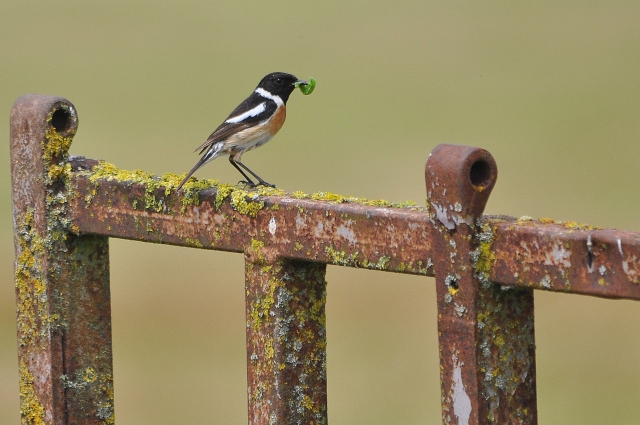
pixel 552 89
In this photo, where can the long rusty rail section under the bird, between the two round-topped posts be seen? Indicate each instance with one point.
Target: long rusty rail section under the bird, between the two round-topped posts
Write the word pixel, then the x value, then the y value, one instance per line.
pixel 349 234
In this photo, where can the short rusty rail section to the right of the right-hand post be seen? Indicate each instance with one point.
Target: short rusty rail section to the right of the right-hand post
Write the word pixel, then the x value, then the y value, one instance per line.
pixel 565 257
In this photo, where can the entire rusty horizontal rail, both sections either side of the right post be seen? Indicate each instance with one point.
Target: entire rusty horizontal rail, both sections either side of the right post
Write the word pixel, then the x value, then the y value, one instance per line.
pixel 527 253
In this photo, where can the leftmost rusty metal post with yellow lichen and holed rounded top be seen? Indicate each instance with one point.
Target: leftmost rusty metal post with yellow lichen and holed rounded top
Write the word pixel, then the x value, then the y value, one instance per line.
pixel 62 278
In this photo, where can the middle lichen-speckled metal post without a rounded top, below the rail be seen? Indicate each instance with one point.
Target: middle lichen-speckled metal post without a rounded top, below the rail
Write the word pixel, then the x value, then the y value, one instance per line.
pixel 286 339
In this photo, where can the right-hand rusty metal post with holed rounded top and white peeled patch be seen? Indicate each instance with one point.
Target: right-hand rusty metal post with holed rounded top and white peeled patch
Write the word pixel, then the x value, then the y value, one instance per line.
pixel 486 333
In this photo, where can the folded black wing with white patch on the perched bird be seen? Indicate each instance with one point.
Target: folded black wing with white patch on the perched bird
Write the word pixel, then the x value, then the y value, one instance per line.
pixel 252 111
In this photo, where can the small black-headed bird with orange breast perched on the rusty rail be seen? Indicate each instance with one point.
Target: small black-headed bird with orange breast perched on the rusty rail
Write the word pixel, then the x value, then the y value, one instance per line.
pixel 252 124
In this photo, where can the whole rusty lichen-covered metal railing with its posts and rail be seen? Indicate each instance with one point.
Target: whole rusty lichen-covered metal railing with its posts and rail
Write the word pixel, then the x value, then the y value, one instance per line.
pixel 486 268
